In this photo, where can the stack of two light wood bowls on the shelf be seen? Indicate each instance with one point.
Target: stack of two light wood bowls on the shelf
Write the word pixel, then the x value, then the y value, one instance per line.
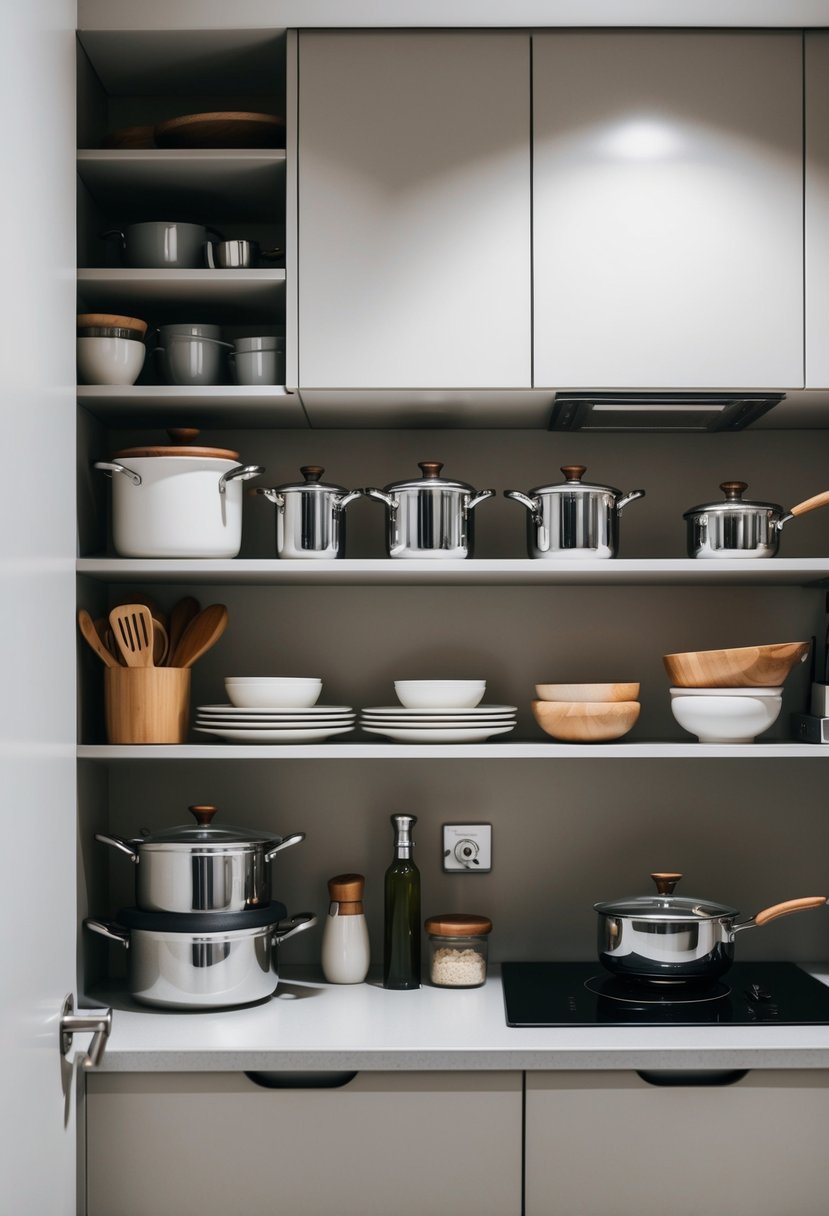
pixel 595 713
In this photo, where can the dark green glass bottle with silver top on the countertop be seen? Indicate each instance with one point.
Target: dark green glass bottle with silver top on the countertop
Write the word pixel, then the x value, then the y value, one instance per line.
pixel 402 925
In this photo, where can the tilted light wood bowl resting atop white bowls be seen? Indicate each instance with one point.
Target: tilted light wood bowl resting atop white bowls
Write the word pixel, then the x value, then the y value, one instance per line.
pixel 745 667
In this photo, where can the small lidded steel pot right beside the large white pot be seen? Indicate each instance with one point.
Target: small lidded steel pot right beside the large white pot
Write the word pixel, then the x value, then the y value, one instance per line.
pixel 311 521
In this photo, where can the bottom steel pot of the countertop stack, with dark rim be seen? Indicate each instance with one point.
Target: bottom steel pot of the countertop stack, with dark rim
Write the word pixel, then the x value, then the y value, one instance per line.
pixel 202 962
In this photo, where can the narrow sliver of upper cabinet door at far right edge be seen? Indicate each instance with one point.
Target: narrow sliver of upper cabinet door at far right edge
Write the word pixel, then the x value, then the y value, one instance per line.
pixel 817 210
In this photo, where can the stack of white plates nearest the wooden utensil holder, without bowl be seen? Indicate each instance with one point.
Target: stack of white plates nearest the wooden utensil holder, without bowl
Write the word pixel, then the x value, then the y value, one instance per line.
pixel 275 725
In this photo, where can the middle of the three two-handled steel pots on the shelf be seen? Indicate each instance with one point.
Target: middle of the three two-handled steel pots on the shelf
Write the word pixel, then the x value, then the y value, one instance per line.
pixel 430 519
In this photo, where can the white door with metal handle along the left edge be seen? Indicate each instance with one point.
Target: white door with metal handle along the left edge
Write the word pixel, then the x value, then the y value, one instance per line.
pixel 37 593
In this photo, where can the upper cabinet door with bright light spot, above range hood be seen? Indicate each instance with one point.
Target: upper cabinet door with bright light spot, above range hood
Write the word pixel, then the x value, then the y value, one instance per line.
pixel 668 210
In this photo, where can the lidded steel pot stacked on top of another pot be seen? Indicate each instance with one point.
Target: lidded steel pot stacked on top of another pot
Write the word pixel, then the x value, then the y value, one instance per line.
pixel 201 868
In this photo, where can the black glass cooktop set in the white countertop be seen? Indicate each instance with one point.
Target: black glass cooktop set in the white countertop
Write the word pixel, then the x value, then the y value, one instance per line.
pixel 585 995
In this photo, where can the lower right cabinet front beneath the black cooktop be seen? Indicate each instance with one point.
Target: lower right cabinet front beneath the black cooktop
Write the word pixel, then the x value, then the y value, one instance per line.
pixel 617 1145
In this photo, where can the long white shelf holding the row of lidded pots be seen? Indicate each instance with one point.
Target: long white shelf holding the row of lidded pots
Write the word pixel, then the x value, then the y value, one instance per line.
pixel 520 572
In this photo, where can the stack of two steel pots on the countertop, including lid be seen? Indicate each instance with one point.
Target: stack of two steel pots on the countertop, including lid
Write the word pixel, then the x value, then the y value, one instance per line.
pixel 205 931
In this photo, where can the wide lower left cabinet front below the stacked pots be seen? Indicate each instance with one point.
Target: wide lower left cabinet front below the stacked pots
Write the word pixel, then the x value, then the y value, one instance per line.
pixel 379 1145
